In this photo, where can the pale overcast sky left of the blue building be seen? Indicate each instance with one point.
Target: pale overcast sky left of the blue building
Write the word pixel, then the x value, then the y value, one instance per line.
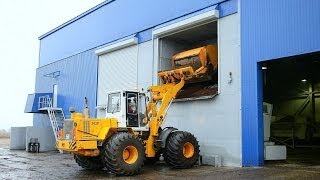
pixel 21 23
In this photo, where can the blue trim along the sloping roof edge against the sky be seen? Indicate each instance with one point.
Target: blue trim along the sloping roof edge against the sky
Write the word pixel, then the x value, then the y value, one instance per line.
pixel 76 18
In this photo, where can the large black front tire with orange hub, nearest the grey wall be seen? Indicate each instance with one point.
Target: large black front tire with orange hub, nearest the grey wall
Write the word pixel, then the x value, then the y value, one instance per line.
pixel 182 150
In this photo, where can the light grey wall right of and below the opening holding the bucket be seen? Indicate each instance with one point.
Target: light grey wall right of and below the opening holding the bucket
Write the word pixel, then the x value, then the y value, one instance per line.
pixel 217 122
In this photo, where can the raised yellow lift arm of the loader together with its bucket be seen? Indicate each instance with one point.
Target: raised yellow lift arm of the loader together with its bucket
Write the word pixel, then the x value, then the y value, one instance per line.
pixel 187 66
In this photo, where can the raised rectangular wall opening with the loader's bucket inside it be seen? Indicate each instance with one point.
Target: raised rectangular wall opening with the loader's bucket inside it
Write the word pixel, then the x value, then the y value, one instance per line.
pixel 197 48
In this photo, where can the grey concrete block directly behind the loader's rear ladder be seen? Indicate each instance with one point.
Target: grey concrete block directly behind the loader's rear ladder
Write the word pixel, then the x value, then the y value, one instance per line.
pixel 44 135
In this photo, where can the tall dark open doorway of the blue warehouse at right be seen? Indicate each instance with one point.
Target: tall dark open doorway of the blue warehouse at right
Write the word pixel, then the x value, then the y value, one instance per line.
pixel 291 109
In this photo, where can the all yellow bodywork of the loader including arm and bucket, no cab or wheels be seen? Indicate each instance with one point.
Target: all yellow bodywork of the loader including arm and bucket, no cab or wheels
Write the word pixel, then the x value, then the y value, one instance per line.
pixel 89 135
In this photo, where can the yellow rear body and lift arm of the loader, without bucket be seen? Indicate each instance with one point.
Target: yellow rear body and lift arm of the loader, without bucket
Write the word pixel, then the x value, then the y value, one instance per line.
pixel 89 134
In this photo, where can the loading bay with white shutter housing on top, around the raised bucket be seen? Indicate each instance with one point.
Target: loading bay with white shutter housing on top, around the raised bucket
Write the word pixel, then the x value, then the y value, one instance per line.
pixel 186 34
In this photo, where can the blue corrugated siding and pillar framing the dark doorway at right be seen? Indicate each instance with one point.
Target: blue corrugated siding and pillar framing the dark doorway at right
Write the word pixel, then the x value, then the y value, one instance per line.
pixel 270 29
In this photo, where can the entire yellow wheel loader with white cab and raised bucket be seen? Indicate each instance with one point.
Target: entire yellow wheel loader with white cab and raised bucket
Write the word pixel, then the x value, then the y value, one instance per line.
pixel 131 135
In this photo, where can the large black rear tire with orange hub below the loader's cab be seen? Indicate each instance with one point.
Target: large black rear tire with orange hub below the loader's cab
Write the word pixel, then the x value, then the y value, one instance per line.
pixel 124 154
